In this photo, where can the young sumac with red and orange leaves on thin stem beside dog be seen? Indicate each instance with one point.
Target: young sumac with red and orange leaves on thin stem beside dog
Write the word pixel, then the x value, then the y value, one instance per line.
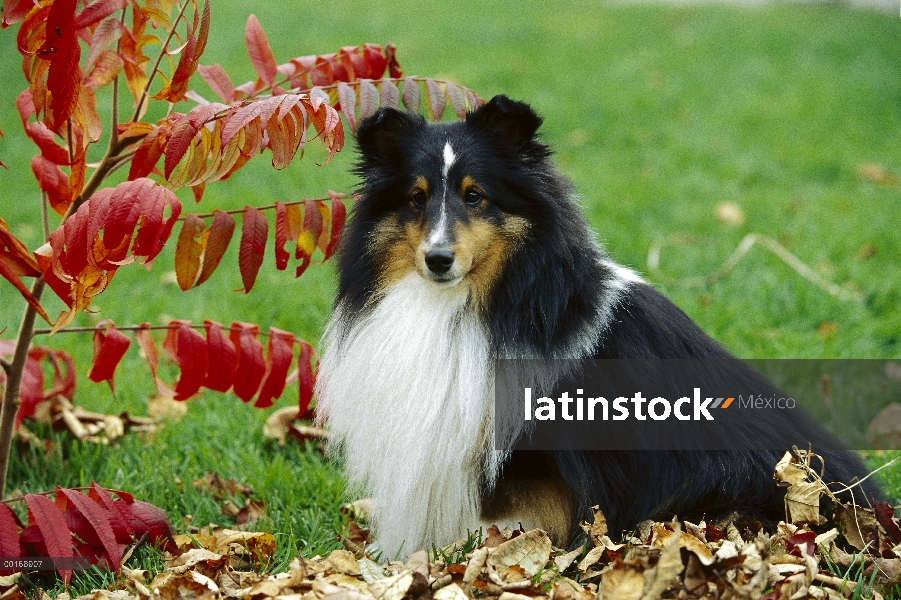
pixel 72 48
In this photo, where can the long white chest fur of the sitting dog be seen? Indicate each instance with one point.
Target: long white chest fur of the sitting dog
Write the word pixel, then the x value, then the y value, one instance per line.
pixel 407 390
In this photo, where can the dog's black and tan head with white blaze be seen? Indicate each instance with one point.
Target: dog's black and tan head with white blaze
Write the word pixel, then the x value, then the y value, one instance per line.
pixel 448 201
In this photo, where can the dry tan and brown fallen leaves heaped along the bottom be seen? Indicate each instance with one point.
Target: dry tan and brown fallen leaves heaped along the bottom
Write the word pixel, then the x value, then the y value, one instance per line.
pixel 732 558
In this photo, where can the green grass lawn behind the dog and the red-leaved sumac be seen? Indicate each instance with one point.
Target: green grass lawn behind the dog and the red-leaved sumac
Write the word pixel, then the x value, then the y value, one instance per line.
pixel 658 114
